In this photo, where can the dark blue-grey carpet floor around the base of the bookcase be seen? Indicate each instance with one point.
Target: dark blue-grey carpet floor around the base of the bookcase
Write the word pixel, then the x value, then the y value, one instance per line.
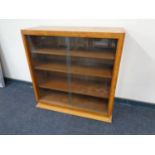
pixel 18 115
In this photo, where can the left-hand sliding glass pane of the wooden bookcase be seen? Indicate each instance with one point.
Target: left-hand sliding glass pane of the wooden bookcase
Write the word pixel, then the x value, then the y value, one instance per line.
pixel 49 56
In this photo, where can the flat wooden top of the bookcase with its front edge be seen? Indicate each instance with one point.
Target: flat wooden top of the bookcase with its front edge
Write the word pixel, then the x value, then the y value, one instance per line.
pixel 73 31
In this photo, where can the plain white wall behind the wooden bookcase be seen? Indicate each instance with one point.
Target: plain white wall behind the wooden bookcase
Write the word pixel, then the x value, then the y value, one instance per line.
pixel 136 79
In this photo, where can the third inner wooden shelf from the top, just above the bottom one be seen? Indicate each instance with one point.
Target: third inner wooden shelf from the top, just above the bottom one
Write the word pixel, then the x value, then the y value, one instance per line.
pixel 82 87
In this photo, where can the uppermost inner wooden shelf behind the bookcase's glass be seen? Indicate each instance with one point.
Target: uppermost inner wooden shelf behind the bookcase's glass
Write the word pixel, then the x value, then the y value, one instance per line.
pixel 106 54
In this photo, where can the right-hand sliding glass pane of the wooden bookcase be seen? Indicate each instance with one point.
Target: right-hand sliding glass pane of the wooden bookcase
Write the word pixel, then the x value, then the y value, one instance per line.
pixel 91 68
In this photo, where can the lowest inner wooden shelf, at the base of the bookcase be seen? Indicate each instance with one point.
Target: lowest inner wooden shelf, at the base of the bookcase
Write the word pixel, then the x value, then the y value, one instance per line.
pixel 88 104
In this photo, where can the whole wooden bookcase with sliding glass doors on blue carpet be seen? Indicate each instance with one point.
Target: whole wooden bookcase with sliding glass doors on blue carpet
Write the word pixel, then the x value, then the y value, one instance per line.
pixel 74 70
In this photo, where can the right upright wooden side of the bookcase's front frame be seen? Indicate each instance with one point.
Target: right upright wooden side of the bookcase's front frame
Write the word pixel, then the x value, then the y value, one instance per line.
pixel 115 73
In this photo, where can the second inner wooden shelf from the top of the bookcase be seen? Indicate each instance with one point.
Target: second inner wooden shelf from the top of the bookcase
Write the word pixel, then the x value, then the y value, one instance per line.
pixel 77 70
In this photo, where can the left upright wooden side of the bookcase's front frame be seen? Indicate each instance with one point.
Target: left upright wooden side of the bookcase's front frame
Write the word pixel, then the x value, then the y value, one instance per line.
pixel 29 60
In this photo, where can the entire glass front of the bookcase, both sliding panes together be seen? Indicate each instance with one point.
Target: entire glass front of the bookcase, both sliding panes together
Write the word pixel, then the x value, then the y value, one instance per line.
pixel 74 72
